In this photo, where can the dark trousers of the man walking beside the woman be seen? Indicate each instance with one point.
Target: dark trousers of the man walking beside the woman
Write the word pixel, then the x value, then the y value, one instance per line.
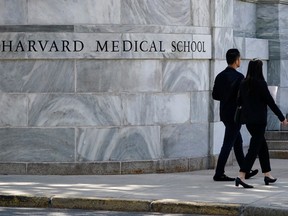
pixel 232 138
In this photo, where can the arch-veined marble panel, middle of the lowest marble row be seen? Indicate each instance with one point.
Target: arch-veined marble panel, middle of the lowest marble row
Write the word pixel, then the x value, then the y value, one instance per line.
pixel 119 144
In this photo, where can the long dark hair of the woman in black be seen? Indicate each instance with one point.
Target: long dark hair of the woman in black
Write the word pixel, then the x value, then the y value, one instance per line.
pixel 254 73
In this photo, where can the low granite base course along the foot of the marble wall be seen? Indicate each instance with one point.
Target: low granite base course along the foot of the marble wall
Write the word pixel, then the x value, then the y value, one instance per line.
pixel 109 168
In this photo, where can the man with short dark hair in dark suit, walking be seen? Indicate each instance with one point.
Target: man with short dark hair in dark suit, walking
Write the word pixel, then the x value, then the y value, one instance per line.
pixel 225 90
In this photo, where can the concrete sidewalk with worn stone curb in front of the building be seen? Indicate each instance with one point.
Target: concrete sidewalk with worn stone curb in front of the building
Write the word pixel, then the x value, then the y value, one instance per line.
pixel 193 192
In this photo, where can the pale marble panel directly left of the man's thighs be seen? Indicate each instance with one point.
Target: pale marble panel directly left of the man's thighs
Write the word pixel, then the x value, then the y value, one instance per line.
pixel 217 130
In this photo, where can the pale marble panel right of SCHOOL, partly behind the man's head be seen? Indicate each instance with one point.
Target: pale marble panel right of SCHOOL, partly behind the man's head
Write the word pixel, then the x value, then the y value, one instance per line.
pixel 223 41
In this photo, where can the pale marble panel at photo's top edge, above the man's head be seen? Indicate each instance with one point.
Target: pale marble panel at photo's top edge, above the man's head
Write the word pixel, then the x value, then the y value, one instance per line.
pixel 222 15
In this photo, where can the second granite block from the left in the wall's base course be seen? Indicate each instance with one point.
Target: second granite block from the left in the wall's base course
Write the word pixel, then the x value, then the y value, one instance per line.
pixel 108 168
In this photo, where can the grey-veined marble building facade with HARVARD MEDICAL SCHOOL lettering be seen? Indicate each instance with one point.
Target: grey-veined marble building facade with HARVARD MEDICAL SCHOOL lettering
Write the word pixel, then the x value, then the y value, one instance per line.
pixel 124 86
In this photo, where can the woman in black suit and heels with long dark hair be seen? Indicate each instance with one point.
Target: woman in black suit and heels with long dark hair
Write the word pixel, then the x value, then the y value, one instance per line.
pixel 254 97
